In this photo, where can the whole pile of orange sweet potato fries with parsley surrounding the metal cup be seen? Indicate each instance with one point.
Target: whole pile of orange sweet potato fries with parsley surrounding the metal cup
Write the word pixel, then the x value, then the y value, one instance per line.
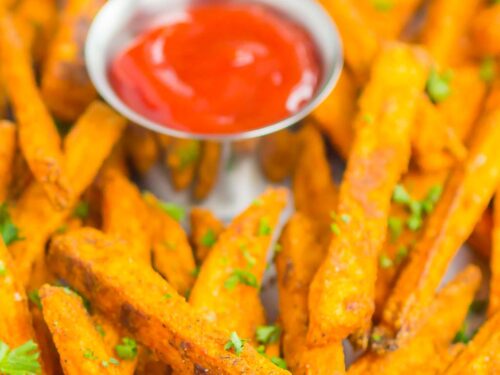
pixel 97 277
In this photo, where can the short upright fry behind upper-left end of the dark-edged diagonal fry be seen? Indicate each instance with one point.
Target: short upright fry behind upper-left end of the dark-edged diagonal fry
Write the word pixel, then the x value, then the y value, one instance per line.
pixel 125 214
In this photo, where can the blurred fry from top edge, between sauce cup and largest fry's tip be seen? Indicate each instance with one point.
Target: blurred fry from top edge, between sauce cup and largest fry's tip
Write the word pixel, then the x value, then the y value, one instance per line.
pixel 361 43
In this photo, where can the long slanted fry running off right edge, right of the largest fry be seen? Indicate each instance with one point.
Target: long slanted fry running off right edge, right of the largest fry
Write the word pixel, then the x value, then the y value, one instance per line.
pixel 465 198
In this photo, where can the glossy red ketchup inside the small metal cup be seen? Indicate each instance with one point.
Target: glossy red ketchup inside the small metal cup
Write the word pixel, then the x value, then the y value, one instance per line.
pixel 218 69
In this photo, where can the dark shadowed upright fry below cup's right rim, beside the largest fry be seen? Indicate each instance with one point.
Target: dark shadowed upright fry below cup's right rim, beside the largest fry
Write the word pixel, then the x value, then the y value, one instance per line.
pixel 314 190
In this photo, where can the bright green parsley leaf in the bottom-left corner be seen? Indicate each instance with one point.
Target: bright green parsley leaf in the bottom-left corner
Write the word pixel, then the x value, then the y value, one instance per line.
pixel 21 360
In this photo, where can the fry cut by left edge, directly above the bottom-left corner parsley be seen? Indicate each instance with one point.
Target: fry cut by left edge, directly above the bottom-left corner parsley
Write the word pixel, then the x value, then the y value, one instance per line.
pixel 15 319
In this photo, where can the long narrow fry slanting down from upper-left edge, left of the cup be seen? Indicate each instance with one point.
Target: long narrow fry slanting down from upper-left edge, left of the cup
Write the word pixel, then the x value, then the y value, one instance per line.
pixel 38 137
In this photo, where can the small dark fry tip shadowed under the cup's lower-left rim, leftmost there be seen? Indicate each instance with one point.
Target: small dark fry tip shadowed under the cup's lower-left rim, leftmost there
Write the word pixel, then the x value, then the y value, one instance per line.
pixel 142 148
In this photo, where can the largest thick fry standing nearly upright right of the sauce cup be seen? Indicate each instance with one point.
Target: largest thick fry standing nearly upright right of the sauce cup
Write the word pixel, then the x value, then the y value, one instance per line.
pixel 341 299
